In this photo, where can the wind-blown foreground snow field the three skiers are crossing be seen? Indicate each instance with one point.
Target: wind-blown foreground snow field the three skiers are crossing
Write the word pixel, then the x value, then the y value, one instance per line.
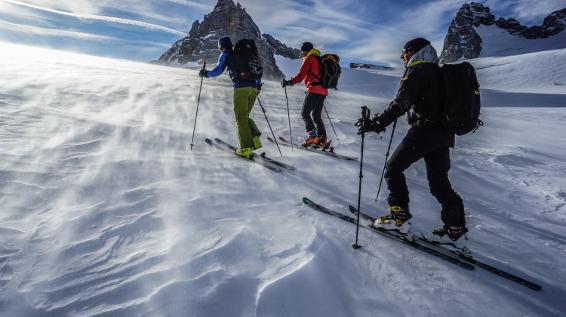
pixel 105 212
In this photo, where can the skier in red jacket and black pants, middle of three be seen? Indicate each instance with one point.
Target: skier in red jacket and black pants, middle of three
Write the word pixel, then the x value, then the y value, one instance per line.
pixel 314 100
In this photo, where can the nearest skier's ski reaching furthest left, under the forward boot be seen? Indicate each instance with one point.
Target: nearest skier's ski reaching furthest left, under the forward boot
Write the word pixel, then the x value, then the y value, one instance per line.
pixel 397 236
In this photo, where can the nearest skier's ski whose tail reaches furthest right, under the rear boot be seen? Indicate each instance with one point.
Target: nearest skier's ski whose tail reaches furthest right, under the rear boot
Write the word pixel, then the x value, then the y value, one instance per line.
pixel 470 259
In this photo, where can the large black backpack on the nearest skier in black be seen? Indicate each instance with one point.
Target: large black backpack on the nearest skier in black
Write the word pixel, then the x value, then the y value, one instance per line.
pixel 461 98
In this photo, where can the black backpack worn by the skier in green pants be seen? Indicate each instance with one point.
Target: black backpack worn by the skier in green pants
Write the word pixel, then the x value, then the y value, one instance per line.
pixel 248 63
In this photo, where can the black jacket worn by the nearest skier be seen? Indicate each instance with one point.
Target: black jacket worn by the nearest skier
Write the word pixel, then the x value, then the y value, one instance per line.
pixel 420 96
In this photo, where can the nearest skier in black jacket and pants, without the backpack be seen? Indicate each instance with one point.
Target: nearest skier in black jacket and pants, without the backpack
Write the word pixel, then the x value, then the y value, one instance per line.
pixel 420 96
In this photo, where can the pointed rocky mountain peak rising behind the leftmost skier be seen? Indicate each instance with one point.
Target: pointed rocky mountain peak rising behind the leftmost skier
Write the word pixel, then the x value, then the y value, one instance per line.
pixel 227 19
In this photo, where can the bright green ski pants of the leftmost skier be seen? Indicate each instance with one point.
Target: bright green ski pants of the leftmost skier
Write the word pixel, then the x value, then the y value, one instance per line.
pixel 244 100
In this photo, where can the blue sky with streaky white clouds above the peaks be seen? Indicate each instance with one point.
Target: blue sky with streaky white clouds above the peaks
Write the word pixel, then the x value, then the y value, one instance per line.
pixel 358 30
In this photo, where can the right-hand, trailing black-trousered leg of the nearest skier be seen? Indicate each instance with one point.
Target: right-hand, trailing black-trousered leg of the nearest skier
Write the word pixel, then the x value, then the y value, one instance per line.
pixel 437 167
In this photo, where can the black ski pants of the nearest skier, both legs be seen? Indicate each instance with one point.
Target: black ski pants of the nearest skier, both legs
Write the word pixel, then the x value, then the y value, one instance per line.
pixel 437 160
